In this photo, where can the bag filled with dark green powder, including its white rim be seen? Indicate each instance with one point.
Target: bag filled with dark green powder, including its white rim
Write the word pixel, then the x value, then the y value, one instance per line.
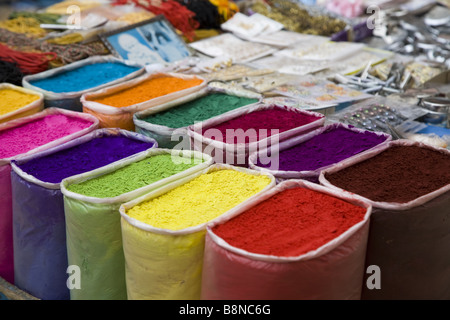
pixel 168 123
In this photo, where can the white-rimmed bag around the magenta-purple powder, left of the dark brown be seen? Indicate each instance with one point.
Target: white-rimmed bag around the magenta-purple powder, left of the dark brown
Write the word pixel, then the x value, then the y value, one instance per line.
pixel 271 156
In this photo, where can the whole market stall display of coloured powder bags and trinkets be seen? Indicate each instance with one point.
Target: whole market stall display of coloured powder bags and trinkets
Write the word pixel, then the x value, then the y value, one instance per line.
pixel 298 92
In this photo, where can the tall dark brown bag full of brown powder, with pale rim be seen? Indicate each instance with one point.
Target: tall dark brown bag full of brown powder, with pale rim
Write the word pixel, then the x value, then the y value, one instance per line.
pixel 408 185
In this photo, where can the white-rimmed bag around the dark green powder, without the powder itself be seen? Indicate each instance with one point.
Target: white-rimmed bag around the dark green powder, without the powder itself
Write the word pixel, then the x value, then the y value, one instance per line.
pixel 168 137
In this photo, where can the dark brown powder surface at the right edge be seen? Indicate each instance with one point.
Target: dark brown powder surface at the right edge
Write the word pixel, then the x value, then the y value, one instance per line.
pixel 399 174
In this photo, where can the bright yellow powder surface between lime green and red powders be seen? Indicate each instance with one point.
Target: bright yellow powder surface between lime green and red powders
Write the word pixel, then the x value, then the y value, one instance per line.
pixel 200 200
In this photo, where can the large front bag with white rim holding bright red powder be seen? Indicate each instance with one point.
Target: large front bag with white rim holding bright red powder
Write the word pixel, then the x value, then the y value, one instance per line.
pixel 332 271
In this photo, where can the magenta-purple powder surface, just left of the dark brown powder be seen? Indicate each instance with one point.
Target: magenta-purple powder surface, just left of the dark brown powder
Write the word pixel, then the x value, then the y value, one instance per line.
pixel 331 146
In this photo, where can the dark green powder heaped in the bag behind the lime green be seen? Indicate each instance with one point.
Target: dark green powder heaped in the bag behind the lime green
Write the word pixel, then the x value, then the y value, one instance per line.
pixel 200 109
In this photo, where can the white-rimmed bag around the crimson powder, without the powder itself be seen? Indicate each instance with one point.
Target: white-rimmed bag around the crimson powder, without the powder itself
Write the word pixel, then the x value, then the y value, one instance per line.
pixel 237 153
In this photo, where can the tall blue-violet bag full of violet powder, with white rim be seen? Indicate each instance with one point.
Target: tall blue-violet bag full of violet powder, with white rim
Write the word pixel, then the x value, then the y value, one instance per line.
pixel 39 230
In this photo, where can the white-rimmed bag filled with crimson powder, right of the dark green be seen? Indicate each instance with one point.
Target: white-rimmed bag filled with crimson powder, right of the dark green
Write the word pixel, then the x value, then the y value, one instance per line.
pixel 232 137
